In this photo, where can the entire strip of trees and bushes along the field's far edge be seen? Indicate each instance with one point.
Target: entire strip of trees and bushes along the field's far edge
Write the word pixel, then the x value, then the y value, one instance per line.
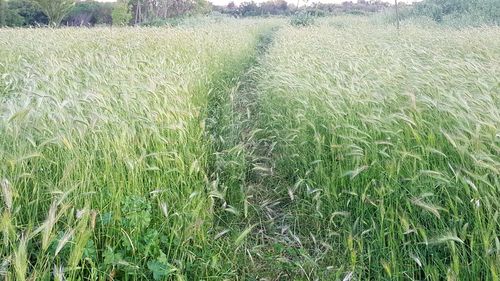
pixel 15 13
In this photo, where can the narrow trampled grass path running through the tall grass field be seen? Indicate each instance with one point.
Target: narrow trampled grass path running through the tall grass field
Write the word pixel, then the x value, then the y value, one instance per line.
pixel 253 210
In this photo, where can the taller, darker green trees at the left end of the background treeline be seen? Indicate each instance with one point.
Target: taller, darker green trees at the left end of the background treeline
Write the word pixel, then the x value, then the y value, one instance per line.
pixel 16 13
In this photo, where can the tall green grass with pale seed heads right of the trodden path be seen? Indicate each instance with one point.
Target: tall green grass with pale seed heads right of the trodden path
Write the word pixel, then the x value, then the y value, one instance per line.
pixel 387 151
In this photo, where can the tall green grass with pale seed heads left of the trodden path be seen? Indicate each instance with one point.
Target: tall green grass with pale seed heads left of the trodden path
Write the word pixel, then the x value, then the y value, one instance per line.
pixel 104 153
